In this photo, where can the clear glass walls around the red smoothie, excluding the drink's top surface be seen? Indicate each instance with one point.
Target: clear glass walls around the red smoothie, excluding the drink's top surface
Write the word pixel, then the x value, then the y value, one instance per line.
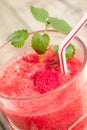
pixel 55 110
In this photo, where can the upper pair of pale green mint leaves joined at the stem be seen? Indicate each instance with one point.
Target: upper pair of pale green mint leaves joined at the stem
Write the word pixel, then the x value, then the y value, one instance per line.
pixel 42 15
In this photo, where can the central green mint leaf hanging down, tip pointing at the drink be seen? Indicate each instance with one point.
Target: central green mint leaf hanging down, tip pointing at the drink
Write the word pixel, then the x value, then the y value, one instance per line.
pixel 40 42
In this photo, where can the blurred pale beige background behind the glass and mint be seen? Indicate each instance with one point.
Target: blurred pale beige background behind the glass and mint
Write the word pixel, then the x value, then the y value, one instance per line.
pixel 15 14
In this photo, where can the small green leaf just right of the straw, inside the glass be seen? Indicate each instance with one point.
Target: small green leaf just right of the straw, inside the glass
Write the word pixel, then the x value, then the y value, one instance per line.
pixel 70 51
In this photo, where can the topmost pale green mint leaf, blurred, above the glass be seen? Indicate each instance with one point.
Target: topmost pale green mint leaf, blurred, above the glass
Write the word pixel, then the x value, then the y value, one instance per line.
pixel 40 14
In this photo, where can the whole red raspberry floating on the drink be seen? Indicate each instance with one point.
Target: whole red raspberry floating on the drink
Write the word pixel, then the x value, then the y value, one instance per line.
pixel 45 80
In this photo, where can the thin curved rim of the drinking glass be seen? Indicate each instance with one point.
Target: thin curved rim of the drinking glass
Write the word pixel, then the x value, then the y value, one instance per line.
pixel 62 86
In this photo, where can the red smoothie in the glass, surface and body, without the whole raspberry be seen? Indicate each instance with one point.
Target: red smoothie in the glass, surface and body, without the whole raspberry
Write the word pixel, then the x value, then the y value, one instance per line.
pixel 53 111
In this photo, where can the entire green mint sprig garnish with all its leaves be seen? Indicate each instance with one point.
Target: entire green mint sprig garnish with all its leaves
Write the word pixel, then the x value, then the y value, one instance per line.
pixel 40 42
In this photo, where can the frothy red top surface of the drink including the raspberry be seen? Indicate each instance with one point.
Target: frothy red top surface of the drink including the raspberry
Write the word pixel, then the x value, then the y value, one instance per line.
pixel 23 75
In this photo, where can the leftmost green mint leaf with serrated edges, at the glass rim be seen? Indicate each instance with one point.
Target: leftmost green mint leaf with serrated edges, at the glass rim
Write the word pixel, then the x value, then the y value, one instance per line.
pixel 18 38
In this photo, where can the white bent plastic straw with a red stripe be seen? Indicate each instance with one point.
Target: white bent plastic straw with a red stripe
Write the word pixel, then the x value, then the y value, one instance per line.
pixel 65 43
